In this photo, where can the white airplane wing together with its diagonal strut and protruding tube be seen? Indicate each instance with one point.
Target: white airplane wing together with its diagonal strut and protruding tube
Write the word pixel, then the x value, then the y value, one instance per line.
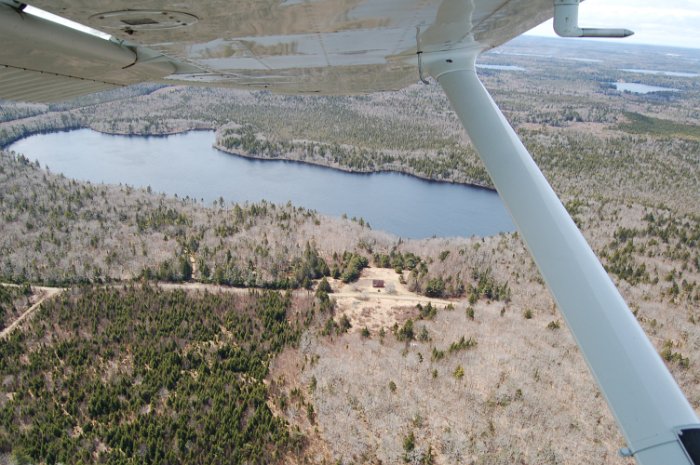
pixel 353 46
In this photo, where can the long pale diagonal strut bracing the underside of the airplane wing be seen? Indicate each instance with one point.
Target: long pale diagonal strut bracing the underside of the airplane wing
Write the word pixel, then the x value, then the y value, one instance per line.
pixel 648 405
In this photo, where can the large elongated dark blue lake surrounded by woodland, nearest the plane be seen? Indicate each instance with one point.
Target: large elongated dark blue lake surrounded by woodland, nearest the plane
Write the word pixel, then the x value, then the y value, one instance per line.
pixel 187 165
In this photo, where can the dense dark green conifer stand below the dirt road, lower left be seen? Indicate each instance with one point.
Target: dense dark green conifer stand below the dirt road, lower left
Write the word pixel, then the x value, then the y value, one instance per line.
pixel 134 374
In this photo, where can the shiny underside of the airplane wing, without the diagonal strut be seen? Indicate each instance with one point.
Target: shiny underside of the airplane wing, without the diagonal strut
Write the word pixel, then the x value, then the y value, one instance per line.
pixel 290 46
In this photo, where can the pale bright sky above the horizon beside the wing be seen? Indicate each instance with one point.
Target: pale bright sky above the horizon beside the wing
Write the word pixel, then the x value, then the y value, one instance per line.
pixel 656 22
